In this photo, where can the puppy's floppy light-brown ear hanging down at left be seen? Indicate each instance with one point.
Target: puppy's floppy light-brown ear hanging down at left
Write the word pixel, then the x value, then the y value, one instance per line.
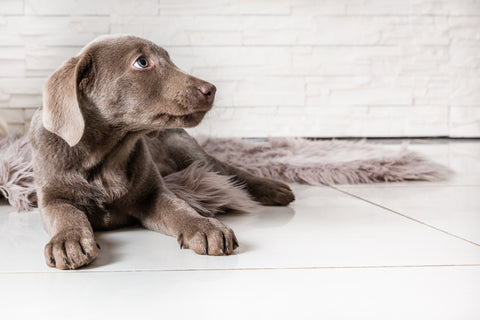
pixel 61 111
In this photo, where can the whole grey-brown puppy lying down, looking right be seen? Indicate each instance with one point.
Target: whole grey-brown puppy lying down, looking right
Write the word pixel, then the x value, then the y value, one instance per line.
pixel 107 132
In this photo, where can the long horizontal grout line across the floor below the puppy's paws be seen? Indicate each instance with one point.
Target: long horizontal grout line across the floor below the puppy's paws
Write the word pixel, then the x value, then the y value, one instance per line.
pixel 242 269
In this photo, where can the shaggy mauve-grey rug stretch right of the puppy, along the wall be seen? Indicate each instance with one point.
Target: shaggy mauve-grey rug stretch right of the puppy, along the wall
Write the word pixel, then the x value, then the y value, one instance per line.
pixel 394 166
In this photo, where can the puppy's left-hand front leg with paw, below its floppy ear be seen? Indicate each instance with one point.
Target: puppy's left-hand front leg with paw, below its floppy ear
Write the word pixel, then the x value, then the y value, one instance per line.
pixel 73 244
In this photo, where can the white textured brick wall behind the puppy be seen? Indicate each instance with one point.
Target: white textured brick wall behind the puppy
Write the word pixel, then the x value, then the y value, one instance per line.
pixel 314 68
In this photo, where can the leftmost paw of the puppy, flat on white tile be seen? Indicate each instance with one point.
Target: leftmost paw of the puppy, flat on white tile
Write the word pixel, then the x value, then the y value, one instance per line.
pixel 71 249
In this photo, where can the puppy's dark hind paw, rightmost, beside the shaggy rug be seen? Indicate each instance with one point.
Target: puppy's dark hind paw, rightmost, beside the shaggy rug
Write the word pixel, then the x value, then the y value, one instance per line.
pixel 271 192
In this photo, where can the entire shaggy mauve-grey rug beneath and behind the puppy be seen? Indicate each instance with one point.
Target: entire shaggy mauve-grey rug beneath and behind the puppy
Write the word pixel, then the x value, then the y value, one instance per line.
pixel 287 159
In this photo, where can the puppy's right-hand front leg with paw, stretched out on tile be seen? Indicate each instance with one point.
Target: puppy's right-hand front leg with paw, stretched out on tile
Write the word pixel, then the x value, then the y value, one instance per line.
pixel 203 235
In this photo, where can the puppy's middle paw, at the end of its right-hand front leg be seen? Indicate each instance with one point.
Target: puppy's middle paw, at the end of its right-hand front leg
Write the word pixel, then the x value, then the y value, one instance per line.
pixel 208 236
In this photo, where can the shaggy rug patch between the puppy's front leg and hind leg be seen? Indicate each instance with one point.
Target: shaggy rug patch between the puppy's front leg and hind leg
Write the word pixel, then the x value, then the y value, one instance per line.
pixel 209 192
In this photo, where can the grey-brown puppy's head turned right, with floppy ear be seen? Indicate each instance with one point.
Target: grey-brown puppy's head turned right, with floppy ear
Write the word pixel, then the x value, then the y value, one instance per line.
pixel 128 83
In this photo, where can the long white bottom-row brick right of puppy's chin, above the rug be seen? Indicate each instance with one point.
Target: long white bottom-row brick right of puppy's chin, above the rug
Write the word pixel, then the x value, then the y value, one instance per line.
pixel 340 122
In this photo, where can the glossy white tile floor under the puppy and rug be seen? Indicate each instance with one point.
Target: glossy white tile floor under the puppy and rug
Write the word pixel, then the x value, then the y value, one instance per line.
pixel 382 251
